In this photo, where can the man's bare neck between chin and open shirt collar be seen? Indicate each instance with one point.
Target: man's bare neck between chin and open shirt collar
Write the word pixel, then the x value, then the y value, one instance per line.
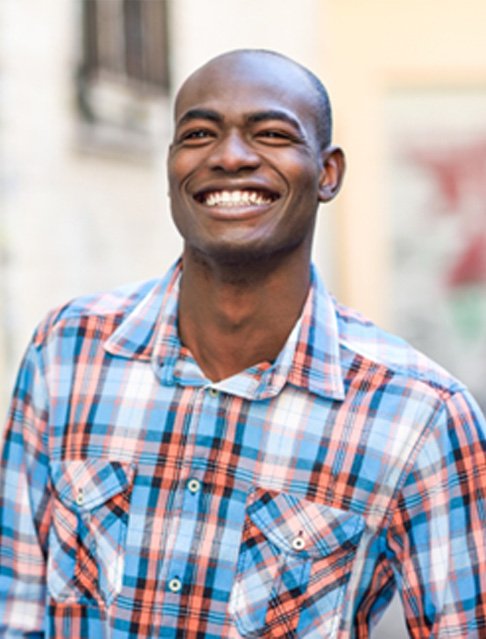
pixel 234 316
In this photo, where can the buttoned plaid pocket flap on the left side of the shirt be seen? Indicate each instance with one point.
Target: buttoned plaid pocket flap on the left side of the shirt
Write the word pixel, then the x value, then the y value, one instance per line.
pixel 87 484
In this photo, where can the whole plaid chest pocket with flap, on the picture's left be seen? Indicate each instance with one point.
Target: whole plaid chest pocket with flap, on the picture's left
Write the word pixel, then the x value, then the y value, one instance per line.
pixel 91 503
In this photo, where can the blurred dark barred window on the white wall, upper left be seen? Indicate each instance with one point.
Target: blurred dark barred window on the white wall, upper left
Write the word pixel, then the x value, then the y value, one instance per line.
pixel 123 74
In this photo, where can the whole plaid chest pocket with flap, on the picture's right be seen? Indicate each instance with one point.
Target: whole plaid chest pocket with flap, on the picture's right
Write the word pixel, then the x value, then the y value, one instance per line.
pixel 295 560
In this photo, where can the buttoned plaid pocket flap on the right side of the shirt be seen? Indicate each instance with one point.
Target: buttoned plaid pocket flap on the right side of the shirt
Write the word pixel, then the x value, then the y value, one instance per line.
pixel 303 527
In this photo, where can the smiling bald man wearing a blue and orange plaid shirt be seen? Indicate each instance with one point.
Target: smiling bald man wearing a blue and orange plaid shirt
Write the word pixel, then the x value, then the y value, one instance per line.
pixel 228 452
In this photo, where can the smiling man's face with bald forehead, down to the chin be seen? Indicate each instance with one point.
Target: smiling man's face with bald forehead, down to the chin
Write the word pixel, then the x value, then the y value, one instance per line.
pixel 246 171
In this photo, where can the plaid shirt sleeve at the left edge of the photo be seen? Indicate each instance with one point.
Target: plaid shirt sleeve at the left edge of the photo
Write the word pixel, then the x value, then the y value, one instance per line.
pixel 24 505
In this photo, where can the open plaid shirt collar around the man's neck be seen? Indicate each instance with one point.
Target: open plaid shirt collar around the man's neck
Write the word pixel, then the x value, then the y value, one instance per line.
pixel 309 359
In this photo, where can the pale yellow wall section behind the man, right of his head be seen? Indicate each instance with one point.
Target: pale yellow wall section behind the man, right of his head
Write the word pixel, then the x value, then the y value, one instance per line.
pixel 369 47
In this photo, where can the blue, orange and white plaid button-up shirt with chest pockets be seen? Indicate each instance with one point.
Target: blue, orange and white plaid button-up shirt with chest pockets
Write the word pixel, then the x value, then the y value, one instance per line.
pixel 138 499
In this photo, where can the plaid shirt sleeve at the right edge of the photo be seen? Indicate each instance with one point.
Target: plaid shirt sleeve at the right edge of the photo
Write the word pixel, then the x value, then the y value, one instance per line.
pixel 438 532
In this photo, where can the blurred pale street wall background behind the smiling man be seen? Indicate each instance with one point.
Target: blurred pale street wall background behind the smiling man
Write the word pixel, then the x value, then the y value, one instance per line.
pixel 86 88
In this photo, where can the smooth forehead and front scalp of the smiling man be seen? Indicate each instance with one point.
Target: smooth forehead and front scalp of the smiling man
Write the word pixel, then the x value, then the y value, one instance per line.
pixel 244 84
